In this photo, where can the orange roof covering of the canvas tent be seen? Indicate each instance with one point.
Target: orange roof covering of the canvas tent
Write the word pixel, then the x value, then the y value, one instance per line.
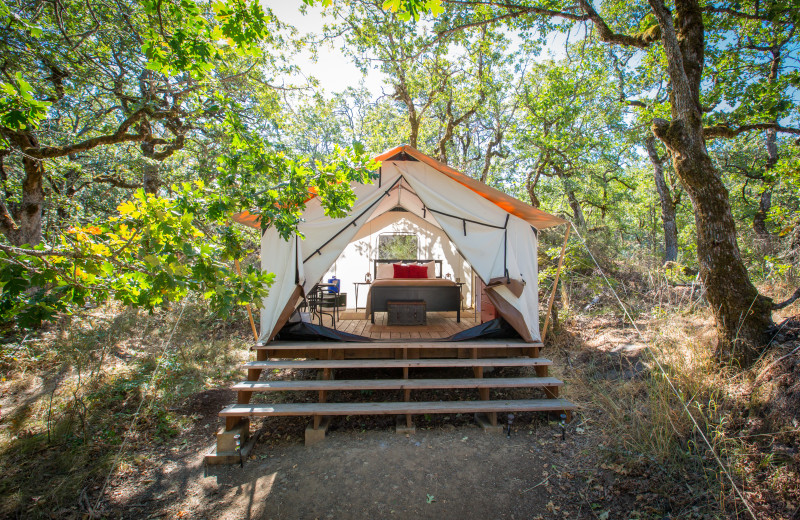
pixel 535 217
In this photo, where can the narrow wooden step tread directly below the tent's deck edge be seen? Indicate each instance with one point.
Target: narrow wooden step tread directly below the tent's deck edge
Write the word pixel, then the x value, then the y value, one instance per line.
pixel 399 363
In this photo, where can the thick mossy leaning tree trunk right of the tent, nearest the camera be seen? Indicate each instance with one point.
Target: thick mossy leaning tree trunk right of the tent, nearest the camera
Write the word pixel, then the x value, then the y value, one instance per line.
pixel 742 315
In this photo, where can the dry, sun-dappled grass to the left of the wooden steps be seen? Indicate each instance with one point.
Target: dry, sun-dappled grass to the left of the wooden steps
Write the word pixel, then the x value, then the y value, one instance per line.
pixel 73 393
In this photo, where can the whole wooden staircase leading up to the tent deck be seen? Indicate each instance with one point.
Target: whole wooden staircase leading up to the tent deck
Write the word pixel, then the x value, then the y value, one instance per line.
pixel 326 357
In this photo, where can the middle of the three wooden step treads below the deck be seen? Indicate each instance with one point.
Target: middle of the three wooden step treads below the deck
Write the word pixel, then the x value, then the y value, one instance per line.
pixel 397 384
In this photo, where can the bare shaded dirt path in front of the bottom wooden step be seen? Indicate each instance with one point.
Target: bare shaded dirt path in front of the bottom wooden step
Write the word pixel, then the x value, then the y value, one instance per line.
pixel 438 473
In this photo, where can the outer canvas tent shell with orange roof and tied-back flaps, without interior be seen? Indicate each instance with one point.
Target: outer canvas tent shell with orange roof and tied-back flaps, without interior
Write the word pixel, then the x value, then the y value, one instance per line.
pixel 494 232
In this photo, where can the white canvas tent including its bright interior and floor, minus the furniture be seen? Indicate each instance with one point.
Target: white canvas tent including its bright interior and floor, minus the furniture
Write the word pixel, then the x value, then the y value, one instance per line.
pixel 483 240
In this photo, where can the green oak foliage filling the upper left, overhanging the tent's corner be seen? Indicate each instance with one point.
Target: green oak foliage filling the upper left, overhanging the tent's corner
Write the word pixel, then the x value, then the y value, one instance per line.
pixel 186 82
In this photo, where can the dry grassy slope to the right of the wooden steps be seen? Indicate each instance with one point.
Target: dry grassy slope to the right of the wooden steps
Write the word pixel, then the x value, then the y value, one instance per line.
pixel 749 418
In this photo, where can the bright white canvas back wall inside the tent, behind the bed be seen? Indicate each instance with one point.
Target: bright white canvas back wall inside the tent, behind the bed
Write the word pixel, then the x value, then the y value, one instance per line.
pixel 356 259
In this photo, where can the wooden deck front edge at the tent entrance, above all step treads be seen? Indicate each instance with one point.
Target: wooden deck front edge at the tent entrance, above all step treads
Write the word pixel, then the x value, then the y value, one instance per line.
pixel 388 345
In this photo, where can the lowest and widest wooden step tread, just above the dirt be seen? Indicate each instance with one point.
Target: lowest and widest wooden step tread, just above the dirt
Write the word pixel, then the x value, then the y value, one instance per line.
pixel 392 408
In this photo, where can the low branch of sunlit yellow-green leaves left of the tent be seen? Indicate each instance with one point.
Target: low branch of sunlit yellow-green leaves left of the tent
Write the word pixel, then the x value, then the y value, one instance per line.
pixel 153 252
